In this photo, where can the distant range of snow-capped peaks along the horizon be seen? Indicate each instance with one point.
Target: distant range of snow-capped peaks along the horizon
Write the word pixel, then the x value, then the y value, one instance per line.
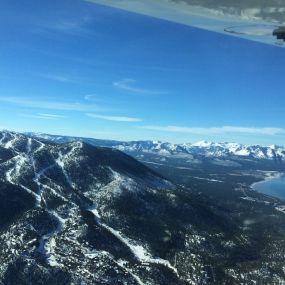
pixel 203 148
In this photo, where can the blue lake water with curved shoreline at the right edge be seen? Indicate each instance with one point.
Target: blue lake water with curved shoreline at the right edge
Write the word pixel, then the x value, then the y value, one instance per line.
pixel 274 187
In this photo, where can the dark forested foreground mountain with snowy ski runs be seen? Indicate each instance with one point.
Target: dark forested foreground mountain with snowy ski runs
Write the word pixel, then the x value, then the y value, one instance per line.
pixel 74 213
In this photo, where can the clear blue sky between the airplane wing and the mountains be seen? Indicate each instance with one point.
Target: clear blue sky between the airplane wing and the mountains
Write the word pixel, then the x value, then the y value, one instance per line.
pixel 77 68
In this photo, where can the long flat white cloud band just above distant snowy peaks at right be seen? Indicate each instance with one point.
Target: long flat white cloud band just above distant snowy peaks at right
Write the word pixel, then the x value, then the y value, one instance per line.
pixel 217 130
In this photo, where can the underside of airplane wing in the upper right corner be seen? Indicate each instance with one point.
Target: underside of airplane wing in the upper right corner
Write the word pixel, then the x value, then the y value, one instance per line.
pixel 257 20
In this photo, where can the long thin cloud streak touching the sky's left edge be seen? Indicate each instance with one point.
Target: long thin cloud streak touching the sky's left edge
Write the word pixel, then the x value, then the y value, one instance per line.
pixel 49 104
